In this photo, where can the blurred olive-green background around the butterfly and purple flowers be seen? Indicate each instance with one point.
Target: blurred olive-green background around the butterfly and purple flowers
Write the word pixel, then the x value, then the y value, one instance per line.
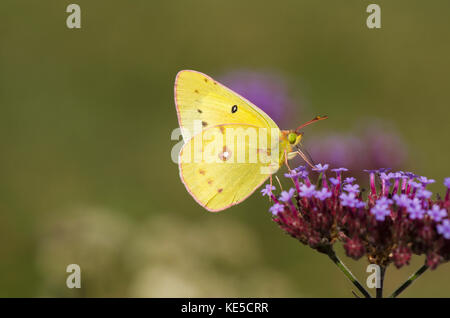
pixel 85 123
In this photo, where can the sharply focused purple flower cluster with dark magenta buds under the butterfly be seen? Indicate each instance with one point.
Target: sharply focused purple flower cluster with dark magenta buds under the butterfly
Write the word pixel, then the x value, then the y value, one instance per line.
pixel 395 219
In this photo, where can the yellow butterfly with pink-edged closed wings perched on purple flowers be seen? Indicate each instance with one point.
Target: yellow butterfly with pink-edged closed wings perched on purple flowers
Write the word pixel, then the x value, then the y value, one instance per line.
pixel 228 142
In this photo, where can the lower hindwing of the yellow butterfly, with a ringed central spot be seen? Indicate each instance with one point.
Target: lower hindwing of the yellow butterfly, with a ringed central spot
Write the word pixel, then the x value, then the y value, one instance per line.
pixel 214 173
